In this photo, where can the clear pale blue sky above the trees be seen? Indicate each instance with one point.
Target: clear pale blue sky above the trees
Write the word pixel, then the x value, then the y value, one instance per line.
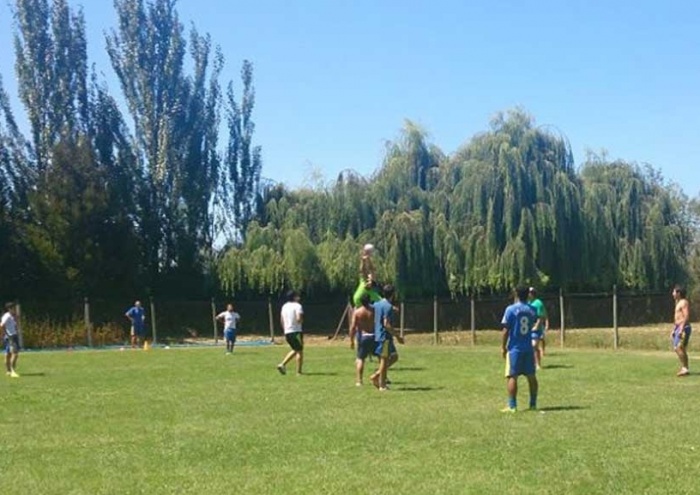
pixel 335 79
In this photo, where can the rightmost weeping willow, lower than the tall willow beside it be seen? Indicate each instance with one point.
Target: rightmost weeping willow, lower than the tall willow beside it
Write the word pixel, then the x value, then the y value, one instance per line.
pixel 647 237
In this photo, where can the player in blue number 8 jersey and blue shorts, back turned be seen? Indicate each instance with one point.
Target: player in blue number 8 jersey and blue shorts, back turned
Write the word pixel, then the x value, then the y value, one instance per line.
pixel 518 320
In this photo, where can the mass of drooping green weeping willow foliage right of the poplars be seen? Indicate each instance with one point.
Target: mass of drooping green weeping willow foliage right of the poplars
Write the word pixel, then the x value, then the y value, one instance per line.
pixel 509 207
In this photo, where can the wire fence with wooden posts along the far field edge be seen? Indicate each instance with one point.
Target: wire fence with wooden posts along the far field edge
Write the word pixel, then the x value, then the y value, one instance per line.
pixel 101 322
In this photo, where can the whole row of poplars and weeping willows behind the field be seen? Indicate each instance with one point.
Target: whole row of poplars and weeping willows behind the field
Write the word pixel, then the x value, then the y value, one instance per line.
pixel 103 201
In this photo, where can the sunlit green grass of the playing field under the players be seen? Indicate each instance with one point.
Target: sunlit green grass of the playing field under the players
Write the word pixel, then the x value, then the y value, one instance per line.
pixel 194 421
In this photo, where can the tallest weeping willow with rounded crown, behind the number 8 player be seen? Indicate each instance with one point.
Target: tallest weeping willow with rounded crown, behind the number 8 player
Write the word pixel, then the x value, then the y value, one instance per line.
pixel 515 207
